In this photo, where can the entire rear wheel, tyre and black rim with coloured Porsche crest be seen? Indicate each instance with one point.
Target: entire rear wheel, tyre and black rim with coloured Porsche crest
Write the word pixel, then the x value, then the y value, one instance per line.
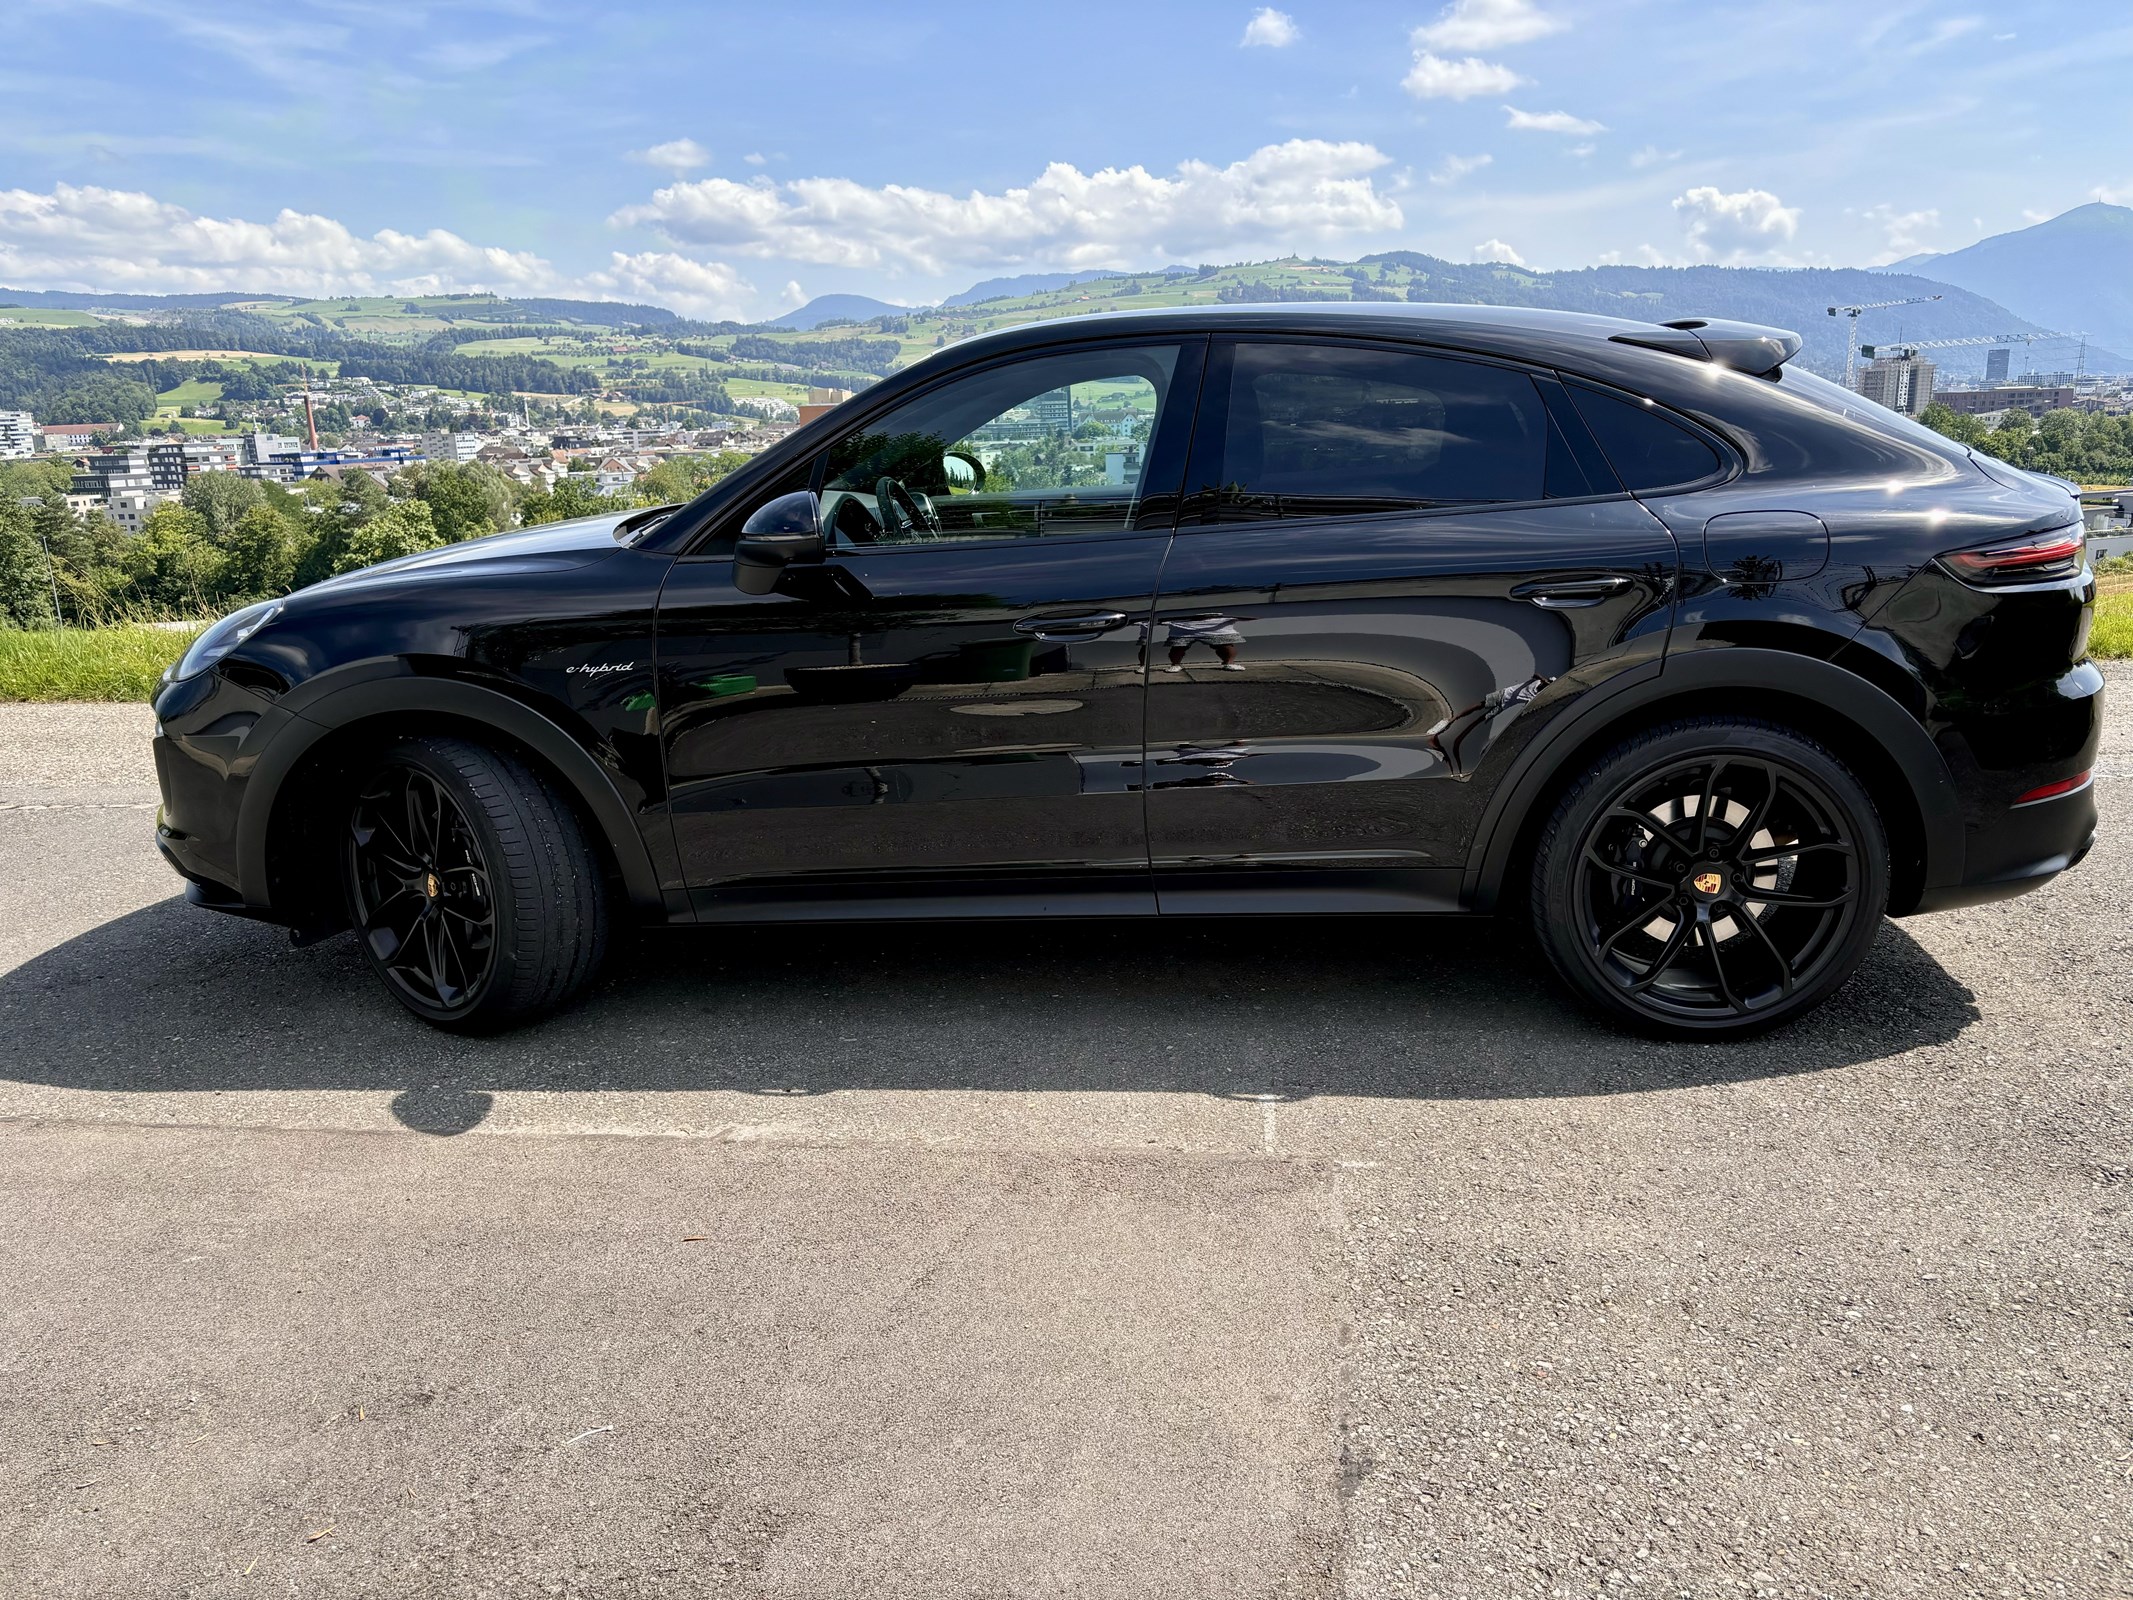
pixel 1712 878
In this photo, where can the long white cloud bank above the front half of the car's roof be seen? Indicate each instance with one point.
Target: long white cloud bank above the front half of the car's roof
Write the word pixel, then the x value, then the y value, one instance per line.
pixel 1296 195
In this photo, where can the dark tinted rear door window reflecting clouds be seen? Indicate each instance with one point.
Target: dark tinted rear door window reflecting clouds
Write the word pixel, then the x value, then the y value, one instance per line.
pixel 1345 432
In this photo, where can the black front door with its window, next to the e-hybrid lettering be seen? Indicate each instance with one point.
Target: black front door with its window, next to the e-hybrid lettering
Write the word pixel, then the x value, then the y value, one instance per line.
pixel 950 705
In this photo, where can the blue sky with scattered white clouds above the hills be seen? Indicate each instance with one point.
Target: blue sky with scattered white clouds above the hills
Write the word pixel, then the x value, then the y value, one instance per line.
pixel 731 159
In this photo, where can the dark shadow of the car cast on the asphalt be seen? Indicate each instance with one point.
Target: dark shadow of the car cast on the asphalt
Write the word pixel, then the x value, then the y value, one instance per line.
pixel 178 999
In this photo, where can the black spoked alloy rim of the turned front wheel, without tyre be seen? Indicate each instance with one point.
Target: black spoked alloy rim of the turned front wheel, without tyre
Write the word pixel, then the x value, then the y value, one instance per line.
pixel 423 901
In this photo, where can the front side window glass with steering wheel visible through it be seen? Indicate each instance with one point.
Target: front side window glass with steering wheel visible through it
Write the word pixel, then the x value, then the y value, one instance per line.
pixel 1031 449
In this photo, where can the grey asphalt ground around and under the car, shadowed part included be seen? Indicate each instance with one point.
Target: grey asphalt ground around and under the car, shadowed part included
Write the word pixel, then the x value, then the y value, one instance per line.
pixel 1217 1260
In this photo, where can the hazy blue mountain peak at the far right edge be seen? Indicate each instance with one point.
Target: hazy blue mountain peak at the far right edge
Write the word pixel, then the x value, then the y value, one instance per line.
pixel 2074 272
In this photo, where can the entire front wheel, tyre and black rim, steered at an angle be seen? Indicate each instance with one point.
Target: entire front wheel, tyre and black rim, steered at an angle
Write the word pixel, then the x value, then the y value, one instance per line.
pixel 475 889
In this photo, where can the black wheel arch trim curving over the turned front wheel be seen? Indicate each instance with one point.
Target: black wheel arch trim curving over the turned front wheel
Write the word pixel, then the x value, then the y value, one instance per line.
pixel 276 825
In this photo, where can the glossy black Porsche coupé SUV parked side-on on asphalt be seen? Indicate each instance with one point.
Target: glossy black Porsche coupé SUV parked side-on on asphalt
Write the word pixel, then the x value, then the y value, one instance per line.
pixel 1693 658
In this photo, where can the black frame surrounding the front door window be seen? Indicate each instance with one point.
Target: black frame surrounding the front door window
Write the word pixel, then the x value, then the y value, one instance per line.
pixel 1187 387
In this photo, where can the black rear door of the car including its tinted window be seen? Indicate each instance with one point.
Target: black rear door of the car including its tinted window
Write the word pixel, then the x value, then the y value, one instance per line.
pixel 1394 566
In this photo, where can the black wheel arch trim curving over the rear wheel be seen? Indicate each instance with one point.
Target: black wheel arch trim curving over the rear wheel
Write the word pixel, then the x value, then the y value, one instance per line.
pixel 1861 722
